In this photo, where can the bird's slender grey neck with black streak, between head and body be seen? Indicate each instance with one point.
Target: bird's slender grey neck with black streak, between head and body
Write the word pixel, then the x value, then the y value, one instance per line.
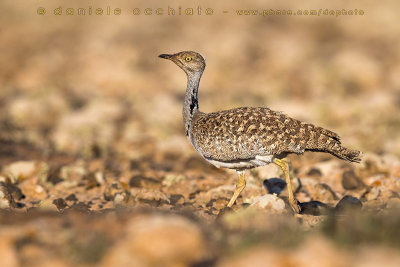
pixel 191 103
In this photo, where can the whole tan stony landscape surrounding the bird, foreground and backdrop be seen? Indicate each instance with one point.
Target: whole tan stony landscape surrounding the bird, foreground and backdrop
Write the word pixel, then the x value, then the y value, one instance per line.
pixel 91 124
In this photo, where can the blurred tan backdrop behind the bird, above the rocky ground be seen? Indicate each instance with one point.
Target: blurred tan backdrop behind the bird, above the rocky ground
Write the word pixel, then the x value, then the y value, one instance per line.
pixel 70 82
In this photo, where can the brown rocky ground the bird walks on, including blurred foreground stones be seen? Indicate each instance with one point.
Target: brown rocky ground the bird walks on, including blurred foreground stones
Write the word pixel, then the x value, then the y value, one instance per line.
pixel 59 210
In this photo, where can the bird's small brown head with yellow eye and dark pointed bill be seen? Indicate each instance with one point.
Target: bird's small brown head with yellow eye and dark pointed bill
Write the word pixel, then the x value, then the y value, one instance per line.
pixel 189 61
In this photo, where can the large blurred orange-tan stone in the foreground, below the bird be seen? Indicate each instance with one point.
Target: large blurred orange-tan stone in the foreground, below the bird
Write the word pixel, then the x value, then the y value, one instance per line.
pixel 158 240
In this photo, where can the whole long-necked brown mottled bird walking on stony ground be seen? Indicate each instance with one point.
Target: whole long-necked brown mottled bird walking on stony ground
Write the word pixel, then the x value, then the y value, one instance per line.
pixel 249 137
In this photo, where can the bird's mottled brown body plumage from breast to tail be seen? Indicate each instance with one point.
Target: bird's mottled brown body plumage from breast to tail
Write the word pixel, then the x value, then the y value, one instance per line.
pixel 248 132
